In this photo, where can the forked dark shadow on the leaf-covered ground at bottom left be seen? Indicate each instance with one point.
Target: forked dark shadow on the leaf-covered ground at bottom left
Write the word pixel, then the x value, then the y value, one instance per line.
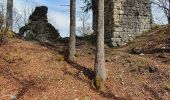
pixel 26 84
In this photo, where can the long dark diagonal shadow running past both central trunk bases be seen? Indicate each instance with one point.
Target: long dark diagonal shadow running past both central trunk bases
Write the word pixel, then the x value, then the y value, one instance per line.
pixel 87 72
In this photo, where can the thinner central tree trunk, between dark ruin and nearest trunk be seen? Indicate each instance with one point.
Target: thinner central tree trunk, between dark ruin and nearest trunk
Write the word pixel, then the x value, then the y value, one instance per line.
pixel 72 40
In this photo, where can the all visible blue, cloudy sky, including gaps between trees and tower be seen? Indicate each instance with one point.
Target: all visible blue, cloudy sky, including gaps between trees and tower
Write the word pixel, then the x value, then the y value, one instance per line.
pixel 58 14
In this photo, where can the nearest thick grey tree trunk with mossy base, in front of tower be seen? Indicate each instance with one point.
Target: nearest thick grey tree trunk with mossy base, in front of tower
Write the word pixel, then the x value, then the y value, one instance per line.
pixel 100 70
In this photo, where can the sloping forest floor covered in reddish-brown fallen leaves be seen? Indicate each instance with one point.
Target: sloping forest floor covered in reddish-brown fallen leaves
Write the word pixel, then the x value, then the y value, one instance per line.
pixel 31 71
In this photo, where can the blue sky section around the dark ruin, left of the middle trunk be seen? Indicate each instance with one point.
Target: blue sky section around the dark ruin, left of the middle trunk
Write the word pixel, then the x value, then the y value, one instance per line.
pixel 58 15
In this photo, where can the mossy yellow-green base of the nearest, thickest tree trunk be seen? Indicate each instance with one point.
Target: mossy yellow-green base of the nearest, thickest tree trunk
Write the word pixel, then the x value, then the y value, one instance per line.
pixel 98 83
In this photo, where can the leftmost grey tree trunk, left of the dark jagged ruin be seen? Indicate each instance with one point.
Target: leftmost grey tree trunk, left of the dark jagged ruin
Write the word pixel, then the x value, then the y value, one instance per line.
pixel 9 15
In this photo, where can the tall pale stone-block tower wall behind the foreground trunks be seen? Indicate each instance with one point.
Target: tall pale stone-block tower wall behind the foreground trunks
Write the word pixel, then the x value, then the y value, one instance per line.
pixel 126 19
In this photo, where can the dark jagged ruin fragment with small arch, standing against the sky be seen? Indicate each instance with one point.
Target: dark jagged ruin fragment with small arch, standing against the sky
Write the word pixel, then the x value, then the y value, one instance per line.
pixel 38 27
